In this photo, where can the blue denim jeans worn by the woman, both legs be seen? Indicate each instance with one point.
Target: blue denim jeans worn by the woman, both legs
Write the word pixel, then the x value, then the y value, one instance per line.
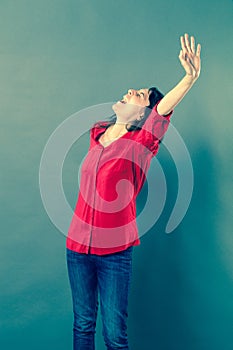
pixel 110 276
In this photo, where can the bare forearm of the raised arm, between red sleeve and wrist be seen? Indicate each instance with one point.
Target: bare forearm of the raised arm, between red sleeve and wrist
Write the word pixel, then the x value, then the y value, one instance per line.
pixel 174 96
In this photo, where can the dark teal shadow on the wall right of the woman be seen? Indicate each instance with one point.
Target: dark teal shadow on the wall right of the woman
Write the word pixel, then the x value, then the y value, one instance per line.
pixel 180 292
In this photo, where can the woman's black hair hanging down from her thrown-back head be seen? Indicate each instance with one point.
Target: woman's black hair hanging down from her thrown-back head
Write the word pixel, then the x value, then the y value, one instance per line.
pixel 154 96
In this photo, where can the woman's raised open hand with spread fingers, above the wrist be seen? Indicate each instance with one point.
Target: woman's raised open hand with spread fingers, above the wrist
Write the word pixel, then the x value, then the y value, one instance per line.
pixel 189 58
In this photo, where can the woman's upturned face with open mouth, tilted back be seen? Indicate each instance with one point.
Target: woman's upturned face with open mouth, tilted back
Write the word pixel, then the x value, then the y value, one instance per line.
pixel 133 104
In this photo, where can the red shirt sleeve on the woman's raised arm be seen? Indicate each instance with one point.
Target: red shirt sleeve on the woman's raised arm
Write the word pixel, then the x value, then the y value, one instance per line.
pixel 155 128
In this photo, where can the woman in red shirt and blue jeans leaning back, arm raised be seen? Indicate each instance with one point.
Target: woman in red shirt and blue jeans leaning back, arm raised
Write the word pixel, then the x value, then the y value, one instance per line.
pixel 103 230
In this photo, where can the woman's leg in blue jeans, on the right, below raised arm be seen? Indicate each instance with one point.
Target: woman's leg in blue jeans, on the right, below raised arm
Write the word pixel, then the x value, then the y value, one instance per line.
pixel 114 277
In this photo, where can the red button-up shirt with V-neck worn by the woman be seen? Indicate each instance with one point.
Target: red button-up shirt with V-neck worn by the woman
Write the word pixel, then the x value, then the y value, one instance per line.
pixel 104 219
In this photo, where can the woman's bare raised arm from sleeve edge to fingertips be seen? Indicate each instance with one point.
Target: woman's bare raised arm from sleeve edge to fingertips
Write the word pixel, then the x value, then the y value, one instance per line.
pixel 191 62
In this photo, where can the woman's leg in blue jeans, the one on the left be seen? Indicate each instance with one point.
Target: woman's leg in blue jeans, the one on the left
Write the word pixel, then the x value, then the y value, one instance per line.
pixel 83 281
